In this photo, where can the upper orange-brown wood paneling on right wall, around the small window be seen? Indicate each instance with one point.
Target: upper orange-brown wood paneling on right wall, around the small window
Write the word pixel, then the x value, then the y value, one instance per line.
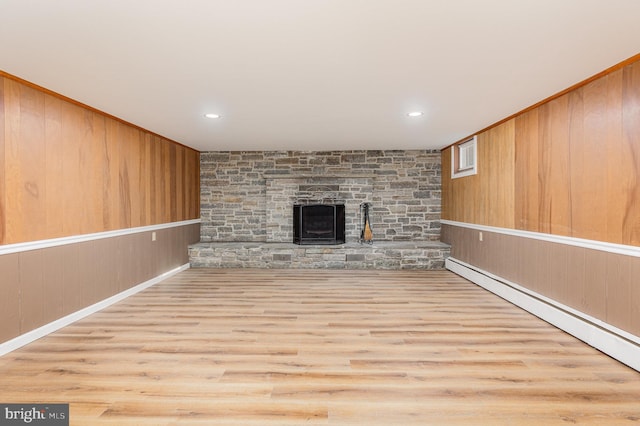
pixel 566 167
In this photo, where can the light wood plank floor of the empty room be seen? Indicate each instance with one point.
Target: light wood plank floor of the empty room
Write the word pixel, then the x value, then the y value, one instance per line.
pixel 282 347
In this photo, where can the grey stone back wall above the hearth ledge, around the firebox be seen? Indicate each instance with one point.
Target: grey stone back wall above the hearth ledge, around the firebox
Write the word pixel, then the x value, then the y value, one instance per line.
pixel 248 196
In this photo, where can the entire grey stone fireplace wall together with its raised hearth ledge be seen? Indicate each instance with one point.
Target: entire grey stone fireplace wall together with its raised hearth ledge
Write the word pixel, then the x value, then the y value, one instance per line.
pixel 247 210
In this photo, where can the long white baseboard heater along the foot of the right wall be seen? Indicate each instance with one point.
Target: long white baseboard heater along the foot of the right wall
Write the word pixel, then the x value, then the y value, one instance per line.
pixel 614 342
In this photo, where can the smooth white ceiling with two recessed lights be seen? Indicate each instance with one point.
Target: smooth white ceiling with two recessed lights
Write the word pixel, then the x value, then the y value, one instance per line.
pixel 313 74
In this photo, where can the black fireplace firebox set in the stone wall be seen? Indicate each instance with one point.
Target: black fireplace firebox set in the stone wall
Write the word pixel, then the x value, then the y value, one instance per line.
pixel 318 224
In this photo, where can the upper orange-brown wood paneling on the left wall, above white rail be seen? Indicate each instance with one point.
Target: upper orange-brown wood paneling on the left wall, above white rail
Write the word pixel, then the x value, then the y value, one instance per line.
pixel 66 169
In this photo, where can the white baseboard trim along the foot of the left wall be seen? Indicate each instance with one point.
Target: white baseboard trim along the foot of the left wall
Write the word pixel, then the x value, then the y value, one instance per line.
pixel 34 335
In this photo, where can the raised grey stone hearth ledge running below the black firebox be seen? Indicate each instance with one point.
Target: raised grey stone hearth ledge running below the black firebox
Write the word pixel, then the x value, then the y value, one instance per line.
pixel 379 255
